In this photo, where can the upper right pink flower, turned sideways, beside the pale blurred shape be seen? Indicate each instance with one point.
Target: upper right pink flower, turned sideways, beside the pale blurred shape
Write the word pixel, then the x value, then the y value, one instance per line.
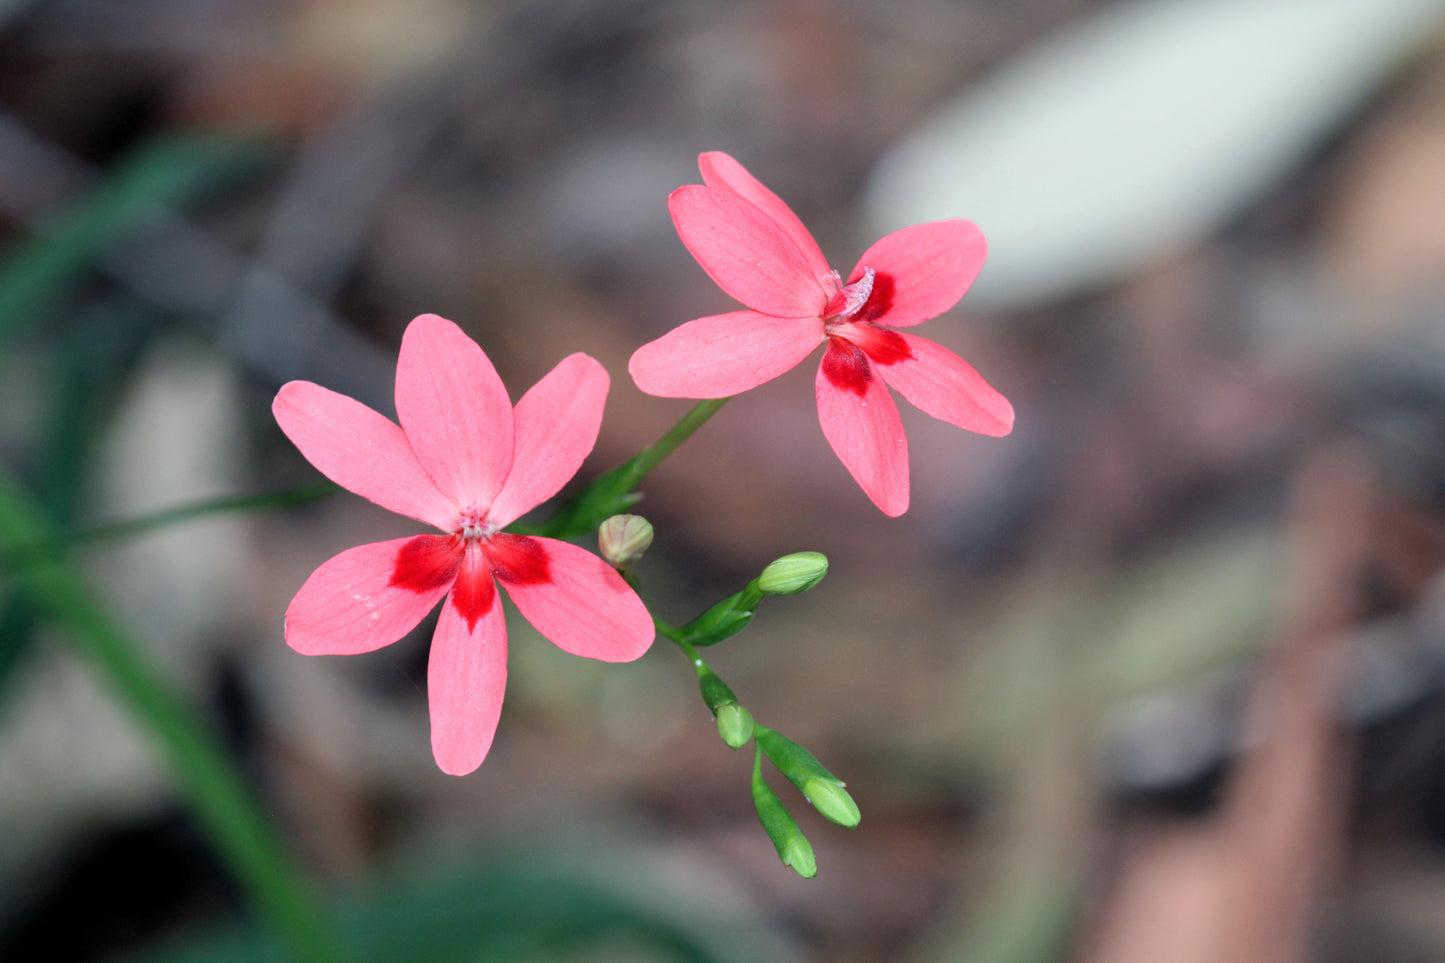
pixel 758 251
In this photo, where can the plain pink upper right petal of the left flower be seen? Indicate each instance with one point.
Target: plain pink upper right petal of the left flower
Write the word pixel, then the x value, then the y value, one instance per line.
pixel 556 429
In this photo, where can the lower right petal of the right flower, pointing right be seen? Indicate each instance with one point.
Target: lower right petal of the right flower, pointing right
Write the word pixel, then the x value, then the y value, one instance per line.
pixel 946 387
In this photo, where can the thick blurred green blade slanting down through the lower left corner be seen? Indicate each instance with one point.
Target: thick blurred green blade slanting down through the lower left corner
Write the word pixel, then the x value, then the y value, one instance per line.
pixel 245 838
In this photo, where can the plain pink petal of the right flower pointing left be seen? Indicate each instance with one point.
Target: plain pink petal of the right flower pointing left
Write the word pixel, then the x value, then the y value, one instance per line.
pixel 723 355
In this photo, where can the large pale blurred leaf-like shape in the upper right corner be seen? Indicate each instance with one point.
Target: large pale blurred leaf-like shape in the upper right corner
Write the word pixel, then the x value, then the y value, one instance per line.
pixel 1139 132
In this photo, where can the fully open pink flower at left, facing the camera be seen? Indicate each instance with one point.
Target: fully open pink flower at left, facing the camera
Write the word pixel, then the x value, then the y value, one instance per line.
pixel 467 463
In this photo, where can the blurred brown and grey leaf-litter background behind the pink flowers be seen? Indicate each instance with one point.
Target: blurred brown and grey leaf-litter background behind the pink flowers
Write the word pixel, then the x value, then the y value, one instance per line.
pixel 1157 677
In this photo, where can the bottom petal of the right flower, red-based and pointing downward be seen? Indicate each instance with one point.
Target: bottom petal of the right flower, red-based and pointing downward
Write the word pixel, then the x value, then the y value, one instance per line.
pixel 862 424
